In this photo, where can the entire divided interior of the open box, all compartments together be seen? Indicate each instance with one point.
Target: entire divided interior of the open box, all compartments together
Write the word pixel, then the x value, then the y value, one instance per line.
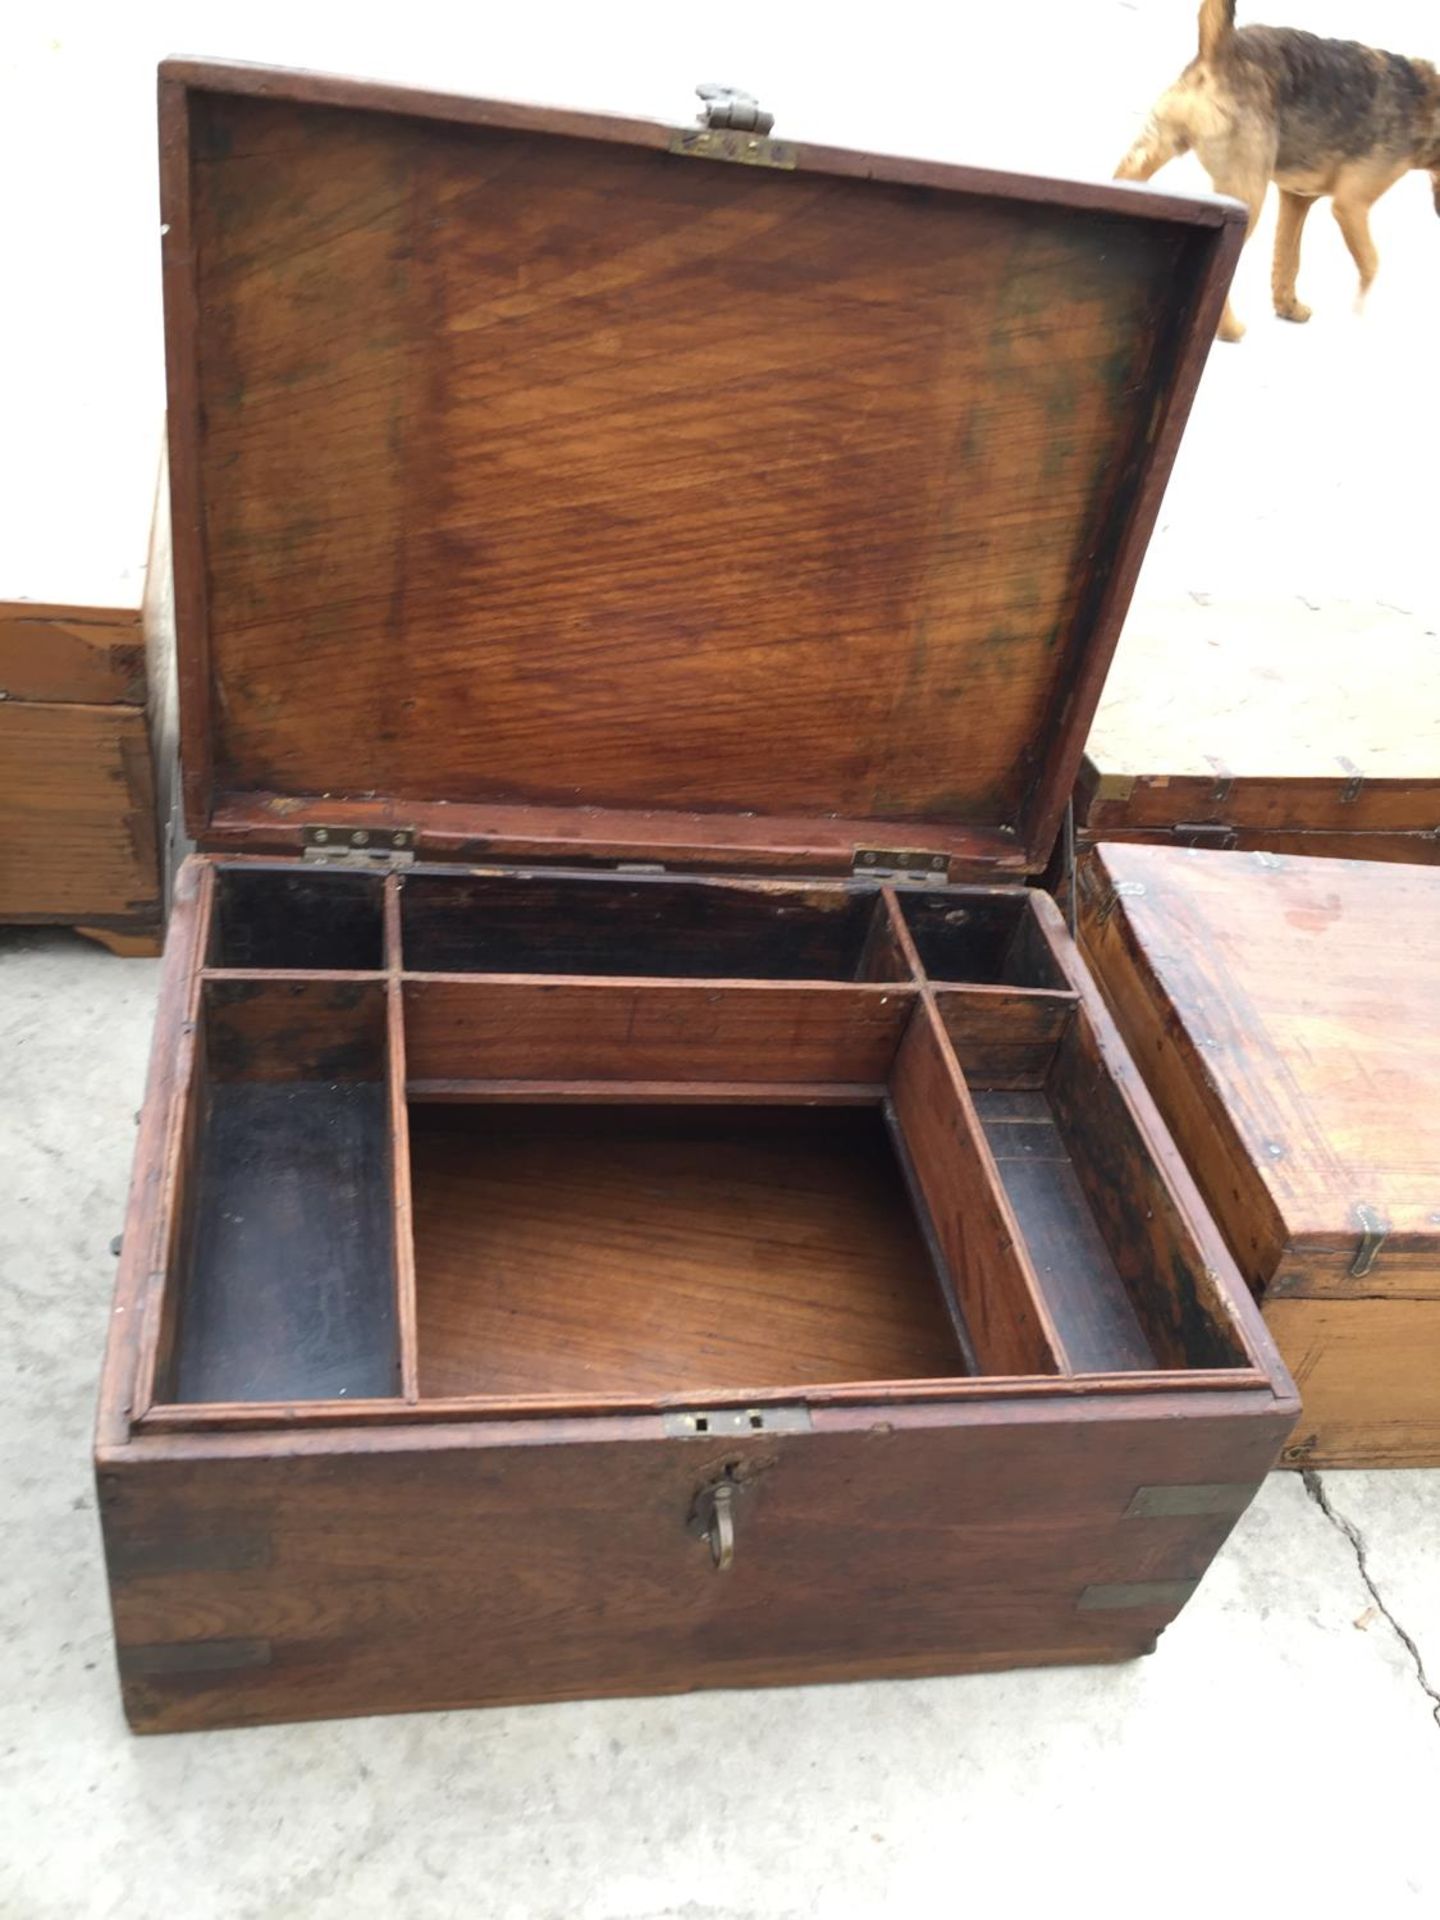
pixel 600 1186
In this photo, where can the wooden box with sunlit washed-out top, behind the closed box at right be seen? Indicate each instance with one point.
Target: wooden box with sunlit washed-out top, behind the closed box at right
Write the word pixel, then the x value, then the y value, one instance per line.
pixel 1232 727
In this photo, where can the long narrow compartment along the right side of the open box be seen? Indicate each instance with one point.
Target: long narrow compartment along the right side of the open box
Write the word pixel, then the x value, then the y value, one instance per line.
pixel 1120 1272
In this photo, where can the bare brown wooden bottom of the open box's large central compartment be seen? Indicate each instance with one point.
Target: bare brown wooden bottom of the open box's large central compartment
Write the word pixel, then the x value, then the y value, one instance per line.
pixel 581 1251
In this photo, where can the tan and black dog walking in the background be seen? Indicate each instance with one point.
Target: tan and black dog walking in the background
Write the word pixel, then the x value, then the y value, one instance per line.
pixel 1316 116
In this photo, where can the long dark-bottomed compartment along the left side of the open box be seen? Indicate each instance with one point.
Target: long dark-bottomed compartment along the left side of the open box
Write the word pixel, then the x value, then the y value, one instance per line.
pixel 285 1284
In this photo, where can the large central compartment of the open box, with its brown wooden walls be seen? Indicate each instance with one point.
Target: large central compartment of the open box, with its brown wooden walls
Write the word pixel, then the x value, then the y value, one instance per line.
pixel 669 1243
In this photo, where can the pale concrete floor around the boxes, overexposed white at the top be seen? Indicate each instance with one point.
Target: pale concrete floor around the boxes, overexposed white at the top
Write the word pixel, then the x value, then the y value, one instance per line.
pixel 1284 1746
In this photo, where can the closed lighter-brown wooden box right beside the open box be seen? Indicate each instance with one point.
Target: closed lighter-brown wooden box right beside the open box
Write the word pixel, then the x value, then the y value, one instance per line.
pixel 1287 1017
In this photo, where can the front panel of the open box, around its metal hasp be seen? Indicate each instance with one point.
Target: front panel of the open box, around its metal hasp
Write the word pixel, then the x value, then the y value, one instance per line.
pixel 462 1568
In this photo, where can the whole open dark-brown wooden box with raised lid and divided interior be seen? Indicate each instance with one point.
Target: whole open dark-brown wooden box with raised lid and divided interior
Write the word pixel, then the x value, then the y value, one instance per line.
pixel 635 1191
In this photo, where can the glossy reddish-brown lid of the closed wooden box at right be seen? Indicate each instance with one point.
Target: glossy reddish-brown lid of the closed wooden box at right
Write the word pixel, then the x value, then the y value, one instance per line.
pixel 1301 1015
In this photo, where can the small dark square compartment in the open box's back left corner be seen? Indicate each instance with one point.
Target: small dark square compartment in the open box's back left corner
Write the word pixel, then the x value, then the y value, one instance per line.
pixel 270 917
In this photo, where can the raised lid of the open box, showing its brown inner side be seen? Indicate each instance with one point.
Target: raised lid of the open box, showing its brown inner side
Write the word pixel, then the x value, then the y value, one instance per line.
pixel 548 491
